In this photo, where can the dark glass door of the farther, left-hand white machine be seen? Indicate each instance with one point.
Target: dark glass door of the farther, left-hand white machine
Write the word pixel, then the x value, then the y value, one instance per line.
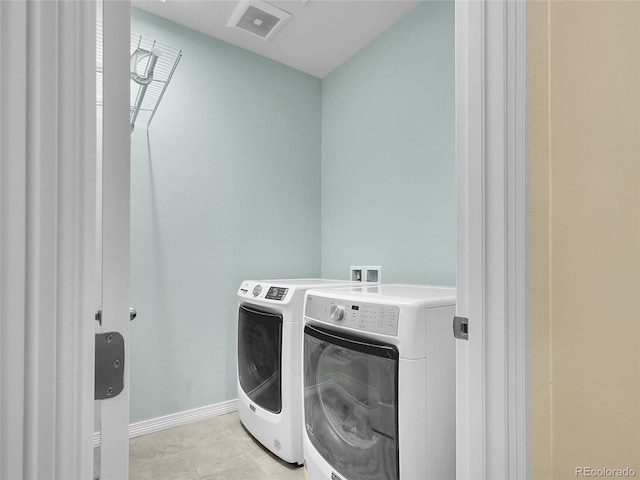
pixel 260 356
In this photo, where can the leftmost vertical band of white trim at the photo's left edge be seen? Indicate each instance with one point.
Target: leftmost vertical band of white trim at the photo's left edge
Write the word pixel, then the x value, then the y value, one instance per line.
pixel 13 144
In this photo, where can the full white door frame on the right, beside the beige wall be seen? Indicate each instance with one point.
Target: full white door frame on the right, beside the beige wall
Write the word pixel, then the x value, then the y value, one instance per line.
pixel 494 364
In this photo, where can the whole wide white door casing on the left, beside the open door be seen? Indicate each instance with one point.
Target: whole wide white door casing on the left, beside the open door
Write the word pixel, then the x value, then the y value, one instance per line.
pixel 47 240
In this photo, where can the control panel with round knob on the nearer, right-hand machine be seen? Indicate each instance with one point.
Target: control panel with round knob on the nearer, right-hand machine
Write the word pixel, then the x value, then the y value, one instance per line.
pixel 368 317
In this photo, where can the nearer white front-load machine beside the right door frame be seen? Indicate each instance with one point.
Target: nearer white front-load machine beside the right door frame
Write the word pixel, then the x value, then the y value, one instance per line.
pixel 379 383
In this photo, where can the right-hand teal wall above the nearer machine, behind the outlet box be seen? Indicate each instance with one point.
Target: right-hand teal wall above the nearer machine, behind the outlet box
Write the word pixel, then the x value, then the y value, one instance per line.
pixel 388 153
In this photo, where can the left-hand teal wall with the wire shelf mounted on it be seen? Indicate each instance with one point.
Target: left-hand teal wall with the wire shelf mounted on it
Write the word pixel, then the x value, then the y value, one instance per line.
pixel 227 188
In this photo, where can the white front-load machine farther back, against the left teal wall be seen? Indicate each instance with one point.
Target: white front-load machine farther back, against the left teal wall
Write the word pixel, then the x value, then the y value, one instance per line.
pixel 270 361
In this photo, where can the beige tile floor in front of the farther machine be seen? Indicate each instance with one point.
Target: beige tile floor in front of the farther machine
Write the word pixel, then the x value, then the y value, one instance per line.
pixel 215 448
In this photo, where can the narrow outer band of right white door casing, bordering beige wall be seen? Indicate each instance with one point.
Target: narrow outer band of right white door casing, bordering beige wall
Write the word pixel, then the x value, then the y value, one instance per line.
pixel 518 244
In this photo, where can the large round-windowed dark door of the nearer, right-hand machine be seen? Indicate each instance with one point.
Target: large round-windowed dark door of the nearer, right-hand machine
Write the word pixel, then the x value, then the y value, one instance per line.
pixel 350 405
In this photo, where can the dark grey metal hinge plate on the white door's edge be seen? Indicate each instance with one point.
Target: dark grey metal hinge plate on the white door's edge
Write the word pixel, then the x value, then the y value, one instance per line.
pixel 109 369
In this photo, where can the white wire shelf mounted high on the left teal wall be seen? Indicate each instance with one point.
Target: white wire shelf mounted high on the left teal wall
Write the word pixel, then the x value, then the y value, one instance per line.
pixel 144 96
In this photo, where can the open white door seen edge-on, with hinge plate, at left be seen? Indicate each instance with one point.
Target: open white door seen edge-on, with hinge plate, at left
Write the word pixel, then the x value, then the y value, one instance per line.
pixel 112 413
